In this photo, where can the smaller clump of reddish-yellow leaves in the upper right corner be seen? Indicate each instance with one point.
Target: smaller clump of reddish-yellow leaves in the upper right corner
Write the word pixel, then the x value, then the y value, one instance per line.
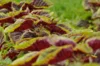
pixel 94 7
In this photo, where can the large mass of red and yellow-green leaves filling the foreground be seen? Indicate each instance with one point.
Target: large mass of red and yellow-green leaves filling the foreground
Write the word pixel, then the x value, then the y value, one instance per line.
pixel 29 36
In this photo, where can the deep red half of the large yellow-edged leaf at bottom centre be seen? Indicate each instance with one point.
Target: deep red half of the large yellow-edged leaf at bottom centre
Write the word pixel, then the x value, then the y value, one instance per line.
pixel 62 55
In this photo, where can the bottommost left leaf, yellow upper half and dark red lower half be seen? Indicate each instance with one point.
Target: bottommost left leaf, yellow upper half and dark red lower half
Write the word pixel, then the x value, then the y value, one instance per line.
pixel 26 60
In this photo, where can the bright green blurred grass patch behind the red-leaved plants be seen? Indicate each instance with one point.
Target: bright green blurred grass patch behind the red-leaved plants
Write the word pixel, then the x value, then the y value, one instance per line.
pixel 69 9
